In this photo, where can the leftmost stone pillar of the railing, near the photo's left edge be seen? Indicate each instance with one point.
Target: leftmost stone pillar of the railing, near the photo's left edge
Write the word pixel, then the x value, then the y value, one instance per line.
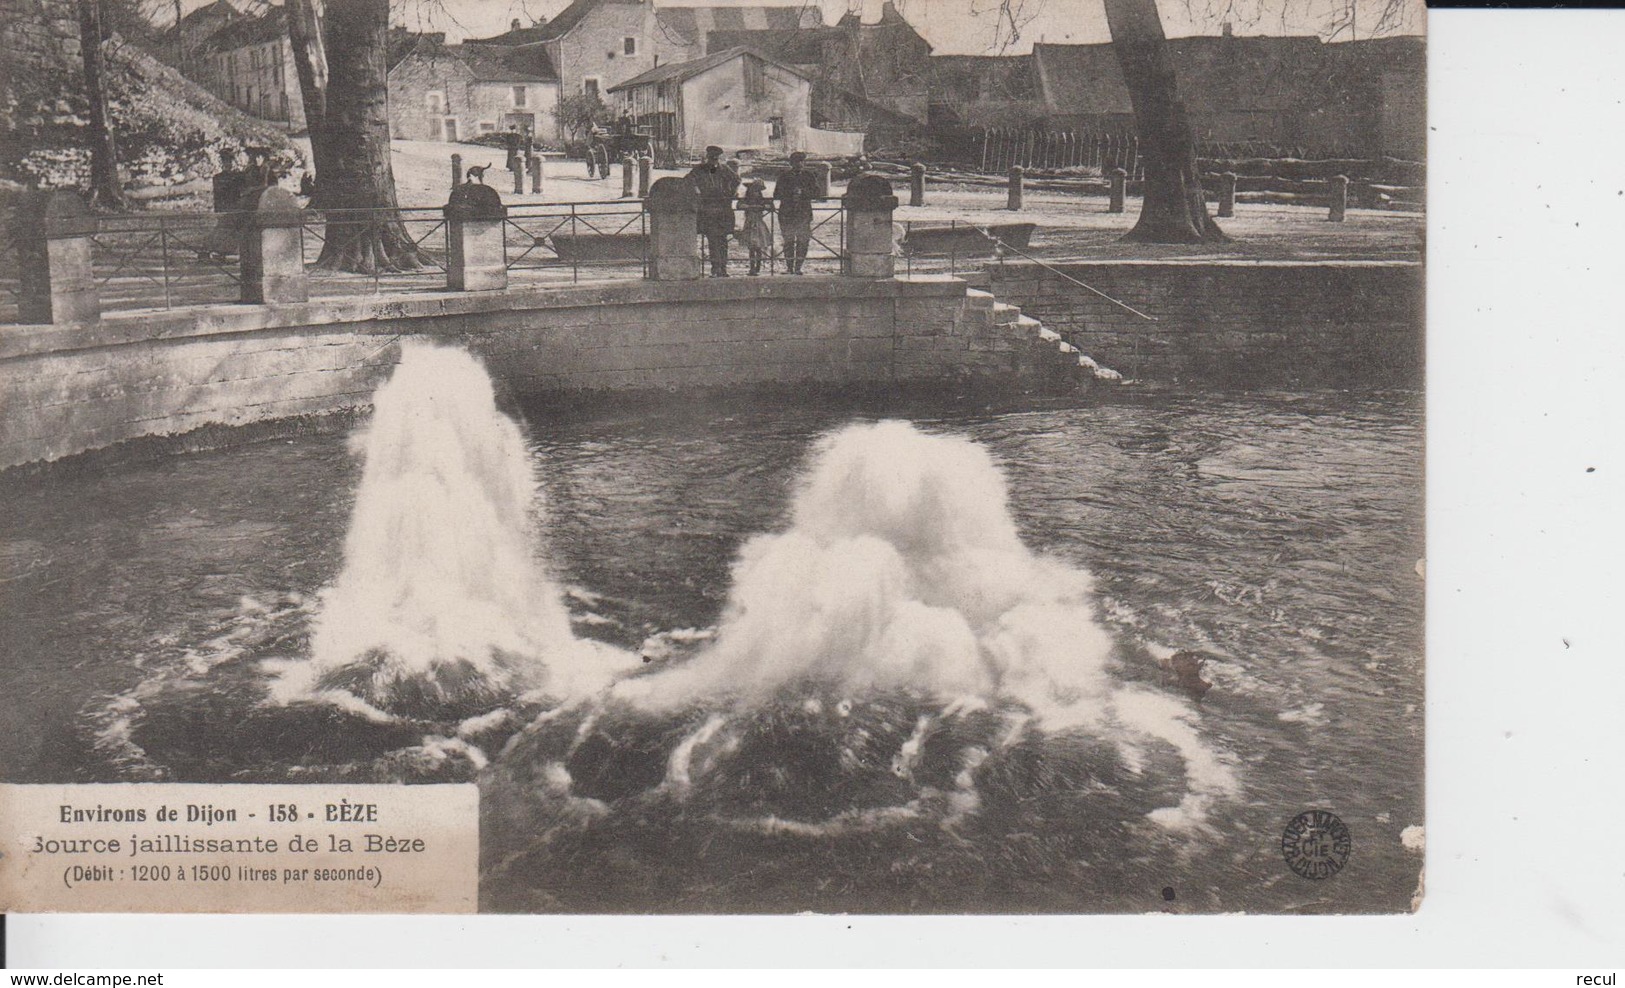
pixel 53 235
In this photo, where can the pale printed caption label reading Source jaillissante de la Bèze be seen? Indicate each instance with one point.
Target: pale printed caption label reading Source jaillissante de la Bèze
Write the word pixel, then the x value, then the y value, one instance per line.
pixel 240 849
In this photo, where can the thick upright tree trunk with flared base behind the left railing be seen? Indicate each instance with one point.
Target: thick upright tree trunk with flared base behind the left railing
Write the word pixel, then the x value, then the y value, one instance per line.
pixel 357 173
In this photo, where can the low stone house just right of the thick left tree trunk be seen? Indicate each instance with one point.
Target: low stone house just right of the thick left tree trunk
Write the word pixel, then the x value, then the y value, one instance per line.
pixel 448 93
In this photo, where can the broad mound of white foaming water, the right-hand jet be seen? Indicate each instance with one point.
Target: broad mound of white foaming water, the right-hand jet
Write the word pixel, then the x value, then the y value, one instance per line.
pixel 903 571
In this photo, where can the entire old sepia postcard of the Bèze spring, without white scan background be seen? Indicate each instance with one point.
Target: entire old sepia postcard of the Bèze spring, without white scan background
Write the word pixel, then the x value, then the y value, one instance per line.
pixel 735 457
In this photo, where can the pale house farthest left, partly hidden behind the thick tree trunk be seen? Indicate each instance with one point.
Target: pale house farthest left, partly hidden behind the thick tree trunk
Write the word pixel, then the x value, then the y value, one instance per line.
pixel 251 66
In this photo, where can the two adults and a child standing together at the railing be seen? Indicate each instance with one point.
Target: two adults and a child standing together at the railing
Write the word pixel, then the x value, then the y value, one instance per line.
pixel 794 194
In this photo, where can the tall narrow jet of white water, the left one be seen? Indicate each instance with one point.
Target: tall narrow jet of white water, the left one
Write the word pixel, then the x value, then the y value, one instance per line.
pixel 441 592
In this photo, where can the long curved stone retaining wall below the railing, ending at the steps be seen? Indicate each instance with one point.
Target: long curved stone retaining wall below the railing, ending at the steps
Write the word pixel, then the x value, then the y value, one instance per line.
pixel 72 389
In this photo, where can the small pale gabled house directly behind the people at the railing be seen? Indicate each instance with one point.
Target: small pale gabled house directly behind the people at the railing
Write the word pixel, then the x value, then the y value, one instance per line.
pixel 737 98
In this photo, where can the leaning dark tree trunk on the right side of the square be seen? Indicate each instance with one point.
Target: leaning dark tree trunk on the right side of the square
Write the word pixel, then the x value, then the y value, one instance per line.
pixel 1174 209
